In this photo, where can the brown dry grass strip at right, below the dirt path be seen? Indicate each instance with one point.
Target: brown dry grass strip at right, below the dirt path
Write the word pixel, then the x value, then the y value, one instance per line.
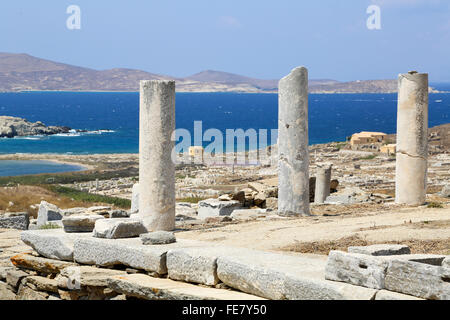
pixel 441 246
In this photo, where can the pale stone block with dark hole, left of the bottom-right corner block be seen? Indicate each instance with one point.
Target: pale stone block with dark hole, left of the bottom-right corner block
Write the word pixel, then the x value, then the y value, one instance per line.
pixel 358 269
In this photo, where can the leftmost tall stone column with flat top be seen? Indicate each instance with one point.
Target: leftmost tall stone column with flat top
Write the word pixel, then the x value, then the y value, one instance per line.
pixel 156 168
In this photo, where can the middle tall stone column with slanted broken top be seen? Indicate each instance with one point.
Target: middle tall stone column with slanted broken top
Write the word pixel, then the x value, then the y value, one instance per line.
pixel 293 154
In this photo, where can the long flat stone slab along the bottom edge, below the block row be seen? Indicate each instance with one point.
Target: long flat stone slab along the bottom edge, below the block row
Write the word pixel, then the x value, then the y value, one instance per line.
pixel 145 287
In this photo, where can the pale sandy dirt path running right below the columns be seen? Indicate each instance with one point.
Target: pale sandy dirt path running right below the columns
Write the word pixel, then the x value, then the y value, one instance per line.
pixel 399 225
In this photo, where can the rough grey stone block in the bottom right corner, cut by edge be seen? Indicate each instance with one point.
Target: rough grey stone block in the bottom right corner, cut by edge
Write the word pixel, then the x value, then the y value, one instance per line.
pixel 418 279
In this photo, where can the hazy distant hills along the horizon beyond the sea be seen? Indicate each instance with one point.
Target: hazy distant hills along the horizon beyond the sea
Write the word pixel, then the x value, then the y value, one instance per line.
pixel 22 72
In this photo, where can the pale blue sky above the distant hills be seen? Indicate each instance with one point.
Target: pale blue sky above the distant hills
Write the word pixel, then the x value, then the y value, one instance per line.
pixel 258 38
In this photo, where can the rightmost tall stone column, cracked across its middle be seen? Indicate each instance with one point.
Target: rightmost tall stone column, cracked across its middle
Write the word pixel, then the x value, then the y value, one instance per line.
pixel 412 139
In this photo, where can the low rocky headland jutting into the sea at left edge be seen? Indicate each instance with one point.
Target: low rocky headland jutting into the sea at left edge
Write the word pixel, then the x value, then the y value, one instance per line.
pixel 11 127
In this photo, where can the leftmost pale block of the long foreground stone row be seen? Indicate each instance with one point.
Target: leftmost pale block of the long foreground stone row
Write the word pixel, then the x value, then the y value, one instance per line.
pixel 53 244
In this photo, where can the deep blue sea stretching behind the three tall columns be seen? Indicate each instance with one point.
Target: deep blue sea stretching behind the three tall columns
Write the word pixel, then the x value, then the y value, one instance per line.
pixel 112 119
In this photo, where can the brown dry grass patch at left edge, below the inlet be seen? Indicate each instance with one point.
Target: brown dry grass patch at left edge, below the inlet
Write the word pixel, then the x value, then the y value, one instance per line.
pixel 23 197
